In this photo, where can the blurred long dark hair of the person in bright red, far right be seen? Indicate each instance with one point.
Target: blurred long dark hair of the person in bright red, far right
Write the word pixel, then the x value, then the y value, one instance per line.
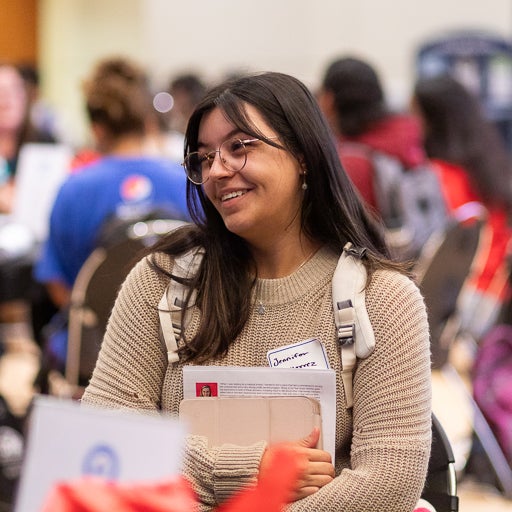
pixel 457 131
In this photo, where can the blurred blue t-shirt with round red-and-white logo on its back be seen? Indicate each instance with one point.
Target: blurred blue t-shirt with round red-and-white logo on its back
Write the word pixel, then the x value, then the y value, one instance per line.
pixel 111 186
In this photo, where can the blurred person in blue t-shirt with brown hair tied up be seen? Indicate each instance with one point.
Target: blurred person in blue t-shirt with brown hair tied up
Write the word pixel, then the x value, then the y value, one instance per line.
pixel 126 181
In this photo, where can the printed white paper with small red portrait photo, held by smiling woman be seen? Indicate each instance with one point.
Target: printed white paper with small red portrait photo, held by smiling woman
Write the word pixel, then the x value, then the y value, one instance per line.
pixel 262 381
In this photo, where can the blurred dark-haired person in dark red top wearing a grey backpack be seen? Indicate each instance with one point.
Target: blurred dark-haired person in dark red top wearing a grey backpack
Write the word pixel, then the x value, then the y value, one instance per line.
pixel 352 98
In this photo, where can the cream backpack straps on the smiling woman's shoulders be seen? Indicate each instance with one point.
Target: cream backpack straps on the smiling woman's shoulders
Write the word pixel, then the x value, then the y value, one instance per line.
pixel 354 331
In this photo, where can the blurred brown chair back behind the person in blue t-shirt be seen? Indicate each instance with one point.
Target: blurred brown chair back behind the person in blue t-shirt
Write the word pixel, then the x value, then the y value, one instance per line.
pixel 95 291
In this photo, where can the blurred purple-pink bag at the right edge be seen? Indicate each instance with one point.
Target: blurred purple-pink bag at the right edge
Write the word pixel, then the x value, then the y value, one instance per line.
pixel 492 384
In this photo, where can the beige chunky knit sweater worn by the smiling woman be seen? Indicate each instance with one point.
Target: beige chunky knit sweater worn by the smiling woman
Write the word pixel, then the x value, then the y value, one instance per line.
pixel 382 446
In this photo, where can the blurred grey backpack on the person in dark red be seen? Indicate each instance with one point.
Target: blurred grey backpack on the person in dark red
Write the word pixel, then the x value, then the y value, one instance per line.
pixel 410 201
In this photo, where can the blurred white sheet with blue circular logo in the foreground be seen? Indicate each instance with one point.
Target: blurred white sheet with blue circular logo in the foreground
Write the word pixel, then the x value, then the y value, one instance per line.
pixel 67 440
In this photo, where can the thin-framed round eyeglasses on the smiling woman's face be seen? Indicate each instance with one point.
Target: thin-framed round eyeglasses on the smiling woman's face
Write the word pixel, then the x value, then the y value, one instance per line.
pixel 232 154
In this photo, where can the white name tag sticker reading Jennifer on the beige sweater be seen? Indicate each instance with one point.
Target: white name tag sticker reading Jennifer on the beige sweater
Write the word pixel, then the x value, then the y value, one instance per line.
pixel 305 354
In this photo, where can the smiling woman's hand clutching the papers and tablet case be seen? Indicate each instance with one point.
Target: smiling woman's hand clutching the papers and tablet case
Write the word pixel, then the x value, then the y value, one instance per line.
pixel 317 469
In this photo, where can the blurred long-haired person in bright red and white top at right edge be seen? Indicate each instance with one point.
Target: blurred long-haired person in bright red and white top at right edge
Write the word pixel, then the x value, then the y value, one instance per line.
pixel 475 170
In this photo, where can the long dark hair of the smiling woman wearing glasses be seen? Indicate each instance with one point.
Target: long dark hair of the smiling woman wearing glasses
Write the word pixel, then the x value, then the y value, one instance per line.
pixel 332 212
